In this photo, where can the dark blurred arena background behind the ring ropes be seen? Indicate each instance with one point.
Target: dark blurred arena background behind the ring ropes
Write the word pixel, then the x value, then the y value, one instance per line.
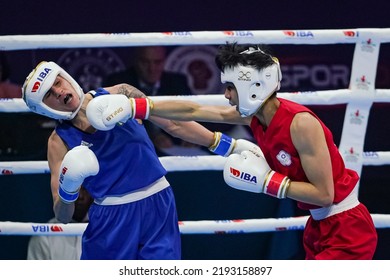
pixel 199 195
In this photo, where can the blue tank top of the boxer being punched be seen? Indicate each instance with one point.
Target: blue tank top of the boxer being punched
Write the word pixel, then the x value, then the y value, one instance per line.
pixel 126 155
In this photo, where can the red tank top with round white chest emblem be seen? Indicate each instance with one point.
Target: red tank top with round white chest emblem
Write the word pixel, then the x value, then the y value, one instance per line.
pixel 282 156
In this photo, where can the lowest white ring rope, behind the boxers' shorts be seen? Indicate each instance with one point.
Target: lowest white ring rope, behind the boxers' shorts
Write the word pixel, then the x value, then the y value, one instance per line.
pixel 186 227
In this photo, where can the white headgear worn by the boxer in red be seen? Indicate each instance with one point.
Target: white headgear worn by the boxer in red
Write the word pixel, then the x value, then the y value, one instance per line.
pixel 253 86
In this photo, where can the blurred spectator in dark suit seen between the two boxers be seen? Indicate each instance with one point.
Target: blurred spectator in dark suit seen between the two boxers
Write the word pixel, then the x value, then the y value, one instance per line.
pixel 148 75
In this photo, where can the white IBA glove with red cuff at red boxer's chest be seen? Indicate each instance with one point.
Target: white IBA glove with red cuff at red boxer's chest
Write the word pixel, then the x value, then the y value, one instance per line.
pixel 252 173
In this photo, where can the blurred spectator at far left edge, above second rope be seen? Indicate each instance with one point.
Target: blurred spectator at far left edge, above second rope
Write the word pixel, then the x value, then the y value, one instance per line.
pixel 7 88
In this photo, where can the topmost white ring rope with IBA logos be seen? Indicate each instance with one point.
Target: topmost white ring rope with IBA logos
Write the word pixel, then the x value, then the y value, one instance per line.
pixel 308 37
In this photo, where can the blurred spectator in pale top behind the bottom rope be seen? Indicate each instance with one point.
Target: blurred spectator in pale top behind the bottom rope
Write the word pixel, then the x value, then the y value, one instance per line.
pixel 61 247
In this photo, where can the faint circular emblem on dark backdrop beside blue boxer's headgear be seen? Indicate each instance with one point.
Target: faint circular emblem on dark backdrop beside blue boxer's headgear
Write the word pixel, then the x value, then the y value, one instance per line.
pixel 90 67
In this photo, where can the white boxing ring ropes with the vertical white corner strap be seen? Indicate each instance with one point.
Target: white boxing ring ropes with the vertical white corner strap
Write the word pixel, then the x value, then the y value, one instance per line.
pixel 358 97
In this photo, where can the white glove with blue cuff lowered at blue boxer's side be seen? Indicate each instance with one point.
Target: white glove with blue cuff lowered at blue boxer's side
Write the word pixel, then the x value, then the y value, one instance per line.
pixel 78 164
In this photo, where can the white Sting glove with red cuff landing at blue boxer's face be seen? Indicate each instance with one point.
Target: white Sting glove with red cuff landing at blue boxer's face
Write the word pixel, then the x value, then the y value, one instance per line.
pixel 105 111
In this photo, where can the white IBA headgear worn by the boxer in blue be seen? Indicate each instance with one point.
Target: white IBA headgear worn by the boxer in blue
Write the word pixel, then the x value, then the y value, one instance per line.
pixel 39 82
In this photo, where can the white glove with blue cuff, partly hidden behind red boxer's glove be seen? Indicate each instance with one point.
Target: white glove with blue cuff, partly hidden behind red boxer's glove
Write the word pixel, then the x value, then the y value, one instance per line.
pixel 224 145
